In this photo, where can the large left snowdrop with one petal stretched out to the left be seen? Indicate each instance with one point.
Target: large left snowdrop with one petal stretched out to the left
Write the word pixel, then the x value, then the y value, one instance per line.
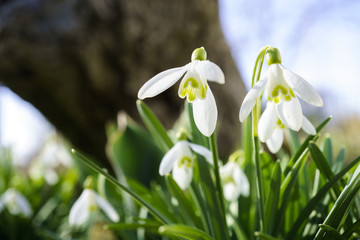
pixel 193 86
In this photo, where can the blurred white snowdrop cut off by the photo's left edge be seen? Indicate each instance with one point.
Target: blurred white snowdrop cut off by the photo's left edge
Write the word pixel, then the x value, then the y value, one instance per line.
pixel 15 202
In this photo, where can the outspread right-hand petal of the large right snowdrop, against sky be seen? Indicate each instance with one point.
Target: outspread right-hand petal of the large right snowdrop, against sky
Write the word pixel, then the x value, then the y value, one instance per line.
pixel 302 88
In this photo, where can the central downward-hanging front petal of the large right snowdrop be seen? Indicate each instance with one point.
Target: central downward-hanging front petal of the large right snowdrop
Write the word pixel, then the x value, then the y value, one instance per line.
pixel 290 113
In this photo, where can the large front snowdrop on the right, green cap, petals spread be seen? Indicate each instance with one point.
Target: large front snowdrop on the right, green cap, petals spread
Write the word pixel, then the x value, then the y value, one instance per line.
pixel 283 87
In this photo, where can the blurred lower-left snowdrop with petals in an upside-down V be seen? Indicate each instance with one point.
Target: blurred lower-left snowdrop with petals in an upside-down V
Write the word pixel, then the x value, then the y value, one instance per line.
pixel 88 202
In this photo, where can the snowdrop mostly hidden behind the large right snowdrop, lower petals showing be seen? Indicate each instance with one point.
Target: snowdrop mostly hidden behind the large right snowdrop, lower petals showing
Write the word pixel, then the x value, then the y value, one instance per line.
pixel 271 128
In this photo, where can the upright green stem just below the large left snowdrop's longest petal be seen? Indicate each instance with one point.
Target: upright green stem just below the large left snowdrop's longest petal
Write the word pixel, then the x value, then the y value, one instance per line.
pixel 215 155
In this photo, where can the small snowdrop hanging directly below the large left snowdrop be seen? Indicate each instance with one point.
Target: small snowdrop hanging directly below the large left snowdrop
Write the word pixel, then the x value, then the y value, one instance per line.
pixel 180 160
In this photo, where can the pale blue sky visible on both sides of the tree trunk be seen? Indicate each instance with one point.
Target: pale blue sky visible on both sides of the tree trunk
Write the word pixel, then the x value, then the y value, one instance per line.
pixel 319 40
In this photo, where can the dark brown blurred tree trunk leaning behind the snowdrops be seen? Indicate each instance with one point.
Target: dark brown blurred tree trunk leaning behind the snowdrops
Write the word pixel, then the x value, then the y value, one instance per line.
pixel 81 61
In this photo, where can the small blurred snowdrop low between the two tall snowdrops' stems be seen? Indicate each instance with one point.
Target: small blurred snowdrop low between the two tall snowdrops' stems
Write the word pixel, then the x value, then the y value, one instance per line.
pixel 234 181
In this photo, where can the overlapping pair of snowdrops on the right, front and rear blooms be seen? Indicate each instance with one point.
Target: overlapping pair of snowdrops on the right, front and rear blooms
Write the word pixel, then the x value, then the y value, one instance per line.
pixel 283 108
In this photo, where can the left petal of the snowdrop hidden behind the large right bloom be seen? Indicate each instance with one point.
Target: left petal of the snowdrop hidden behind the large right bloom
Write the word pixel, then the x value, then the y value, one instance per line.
pixel 267 122
